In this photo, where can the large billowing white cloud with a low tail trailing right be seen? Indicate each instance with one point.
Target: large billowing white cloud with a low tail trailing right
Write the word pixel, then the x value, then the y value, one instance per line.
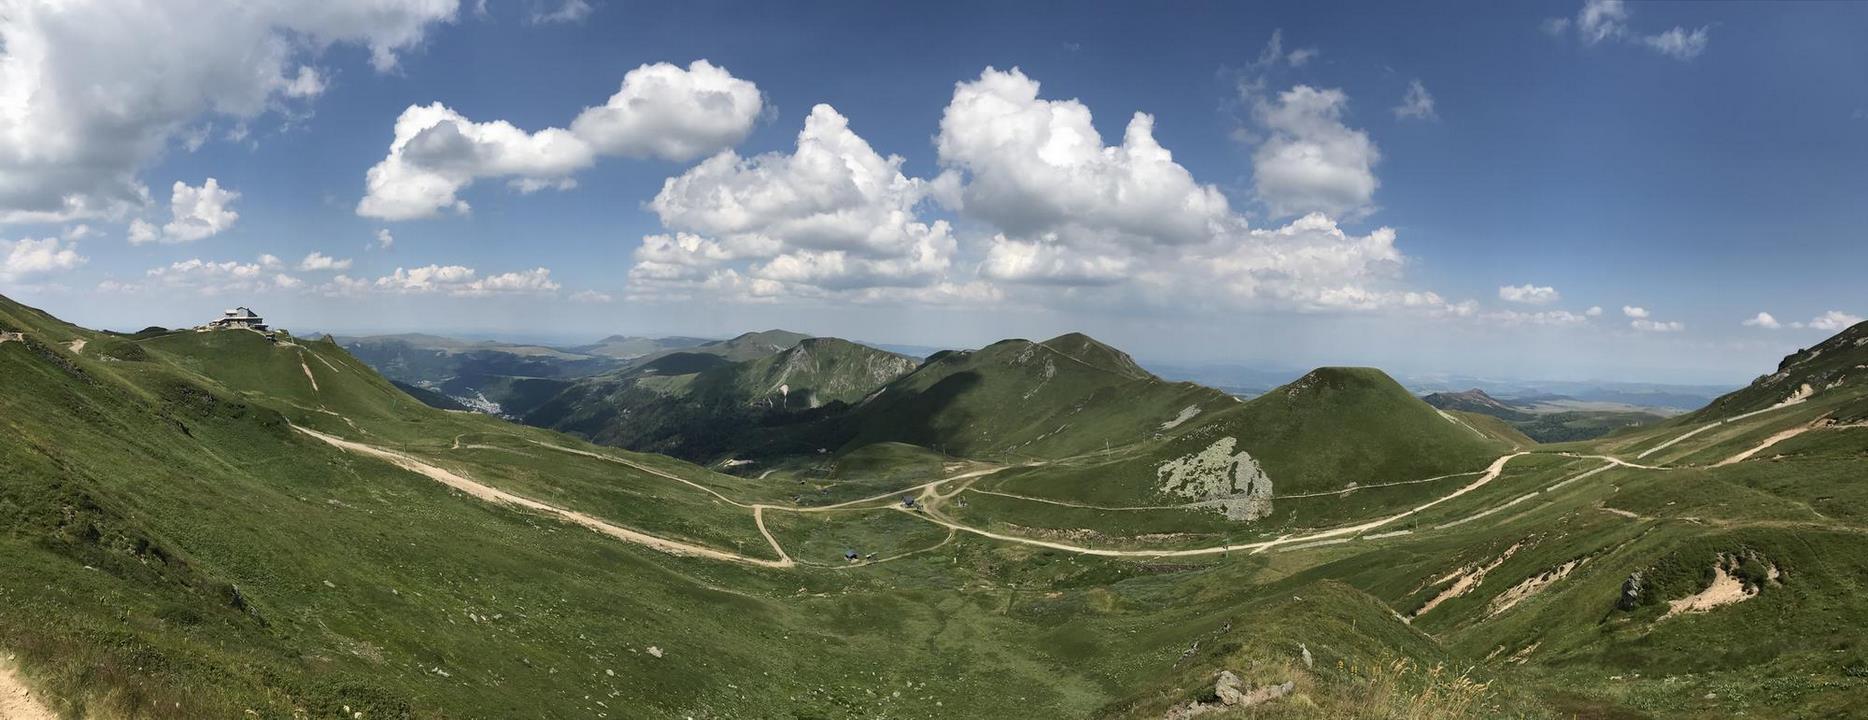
pixel 1071 210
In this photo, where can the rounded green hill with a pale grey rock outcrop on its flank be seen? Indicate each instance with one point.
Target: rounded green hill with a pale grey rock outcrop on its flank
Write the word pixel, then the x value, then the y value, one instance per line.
pixel 1331 448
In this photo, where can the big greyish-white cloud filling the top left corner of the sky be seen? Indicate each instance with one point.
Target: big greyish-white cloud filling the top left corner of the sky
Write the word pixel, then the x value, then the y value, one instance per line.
pixel 94 91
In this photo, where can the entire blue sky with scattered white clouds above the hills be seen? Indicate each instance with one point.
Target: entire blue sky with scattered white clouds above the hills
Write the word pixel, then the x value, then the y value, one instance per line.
pixel 1678 167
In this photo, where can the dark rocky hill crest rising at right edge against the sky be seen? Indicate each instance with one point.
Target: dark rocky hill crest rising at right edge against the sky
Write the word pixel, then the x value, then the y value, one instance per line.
pixel 1839 364
